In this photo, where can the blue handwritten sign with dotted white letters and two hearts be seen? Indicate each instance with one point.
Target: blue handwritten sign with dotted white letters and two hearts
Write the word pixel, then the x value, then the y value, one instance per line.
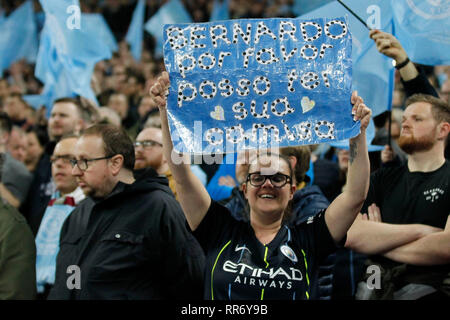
pixel 256 83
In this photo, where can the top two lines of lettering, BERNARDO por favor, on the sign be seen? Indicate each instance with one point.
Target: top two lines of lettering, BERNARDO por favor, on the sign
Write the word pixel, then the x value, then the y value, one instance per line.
pixel 295 41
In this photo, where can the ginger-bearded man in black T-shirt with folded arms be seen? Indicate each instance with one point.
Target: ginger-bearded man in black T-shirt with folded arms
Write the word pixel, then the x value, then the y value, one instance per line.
pixel 405 225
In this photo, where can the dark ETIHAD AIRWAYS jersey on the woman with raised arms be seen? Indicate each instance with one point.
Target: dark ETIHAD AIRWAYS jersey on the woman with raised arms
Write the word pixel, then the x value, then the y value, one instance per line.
pixel 239 266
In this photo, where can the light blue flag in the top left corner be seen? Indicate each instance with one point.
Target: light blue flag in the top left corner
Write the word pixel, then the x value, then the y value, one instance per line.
pixel 18 36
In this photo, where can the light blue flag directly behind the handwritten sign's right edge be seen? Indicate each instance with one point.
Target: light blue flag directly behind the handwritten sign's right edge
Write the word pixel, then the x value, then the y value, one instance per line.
pixel 373 73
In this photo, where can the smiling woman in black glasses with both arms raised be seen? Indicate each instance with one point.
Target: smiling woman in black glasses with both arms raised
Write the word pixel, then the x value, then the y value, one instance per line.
pixel 266 258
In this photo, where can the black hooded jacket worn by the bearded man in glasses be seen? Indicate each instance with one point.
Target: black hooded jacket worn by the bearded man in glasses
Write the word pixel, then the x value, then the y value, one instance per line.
pixel 133 244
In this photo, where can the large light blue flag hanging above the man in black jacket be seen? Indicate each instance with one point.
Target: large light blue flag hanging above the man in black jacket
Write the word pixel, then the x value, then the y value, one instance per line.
pixel 68 52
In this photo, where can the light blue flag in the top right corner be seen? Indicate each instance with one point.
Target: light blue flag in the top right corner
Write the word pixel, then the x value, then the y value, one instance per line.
pixel 423 28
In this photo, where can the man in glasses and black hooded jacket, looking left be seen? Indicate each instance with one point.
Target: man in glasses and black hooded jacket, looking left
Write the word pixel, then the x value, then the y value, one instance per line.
pixel 128 238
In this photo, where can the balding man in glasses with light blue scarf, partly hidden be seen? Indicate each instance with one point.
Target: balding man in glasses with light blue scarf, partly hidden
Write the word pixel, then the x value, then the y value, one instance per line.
pixel 63 201
